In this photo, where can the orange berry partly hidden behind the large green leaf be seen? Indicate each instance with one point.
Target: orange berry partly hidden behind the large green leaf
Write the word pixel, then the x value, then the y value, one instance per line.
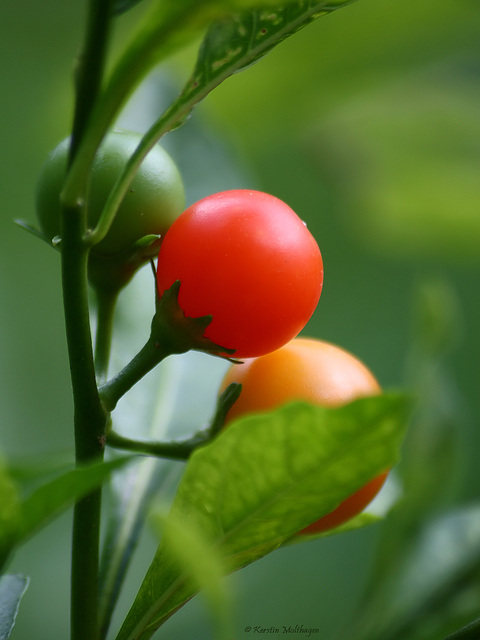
pixel 317 372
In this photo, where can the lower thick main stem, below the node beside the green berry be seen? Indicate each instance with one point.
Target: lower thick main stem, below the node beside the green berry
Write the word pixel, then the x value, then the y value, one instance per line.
pixel 89 422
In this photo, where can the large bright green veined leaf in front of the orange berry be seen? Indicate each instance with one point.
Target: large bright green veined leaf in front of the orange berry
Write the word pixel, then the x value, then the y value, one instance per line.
pixel 265 478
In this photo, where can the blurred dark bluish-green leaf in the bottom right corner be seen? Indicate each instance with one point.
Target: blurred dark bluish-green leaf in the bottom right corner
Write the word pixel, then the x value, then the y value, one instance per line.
pixel 436 580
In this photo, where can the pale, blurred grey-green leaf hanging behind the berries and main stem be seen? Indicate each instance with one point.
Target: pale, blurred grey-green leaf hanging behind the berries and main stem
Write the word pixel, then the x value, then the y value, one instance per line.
pixel 174 400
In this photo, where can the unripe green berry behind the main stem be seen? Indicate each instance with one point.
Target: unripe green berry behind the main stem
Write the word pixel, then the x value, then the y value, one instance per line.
pixel 154 200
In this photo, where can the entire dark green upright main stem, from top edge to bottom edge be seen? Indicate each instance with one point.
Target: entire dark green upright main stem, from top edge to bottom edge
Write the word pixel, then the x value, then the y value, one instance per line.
pixel 89 416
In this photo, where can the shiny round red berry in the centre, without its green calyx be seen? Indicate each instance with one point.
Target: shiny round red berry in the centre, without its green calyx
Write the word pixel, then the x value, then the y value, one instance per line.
pixel 247 260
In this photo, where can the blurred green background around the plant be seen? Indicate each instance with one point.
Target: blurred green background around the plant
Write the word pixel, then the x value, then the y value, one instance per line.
pixel 368 124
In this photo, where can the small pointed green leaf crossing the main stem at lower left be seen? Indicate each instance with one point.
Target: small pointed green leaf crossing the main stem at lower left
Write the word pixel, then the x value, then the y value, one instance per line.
pixel 49 500
